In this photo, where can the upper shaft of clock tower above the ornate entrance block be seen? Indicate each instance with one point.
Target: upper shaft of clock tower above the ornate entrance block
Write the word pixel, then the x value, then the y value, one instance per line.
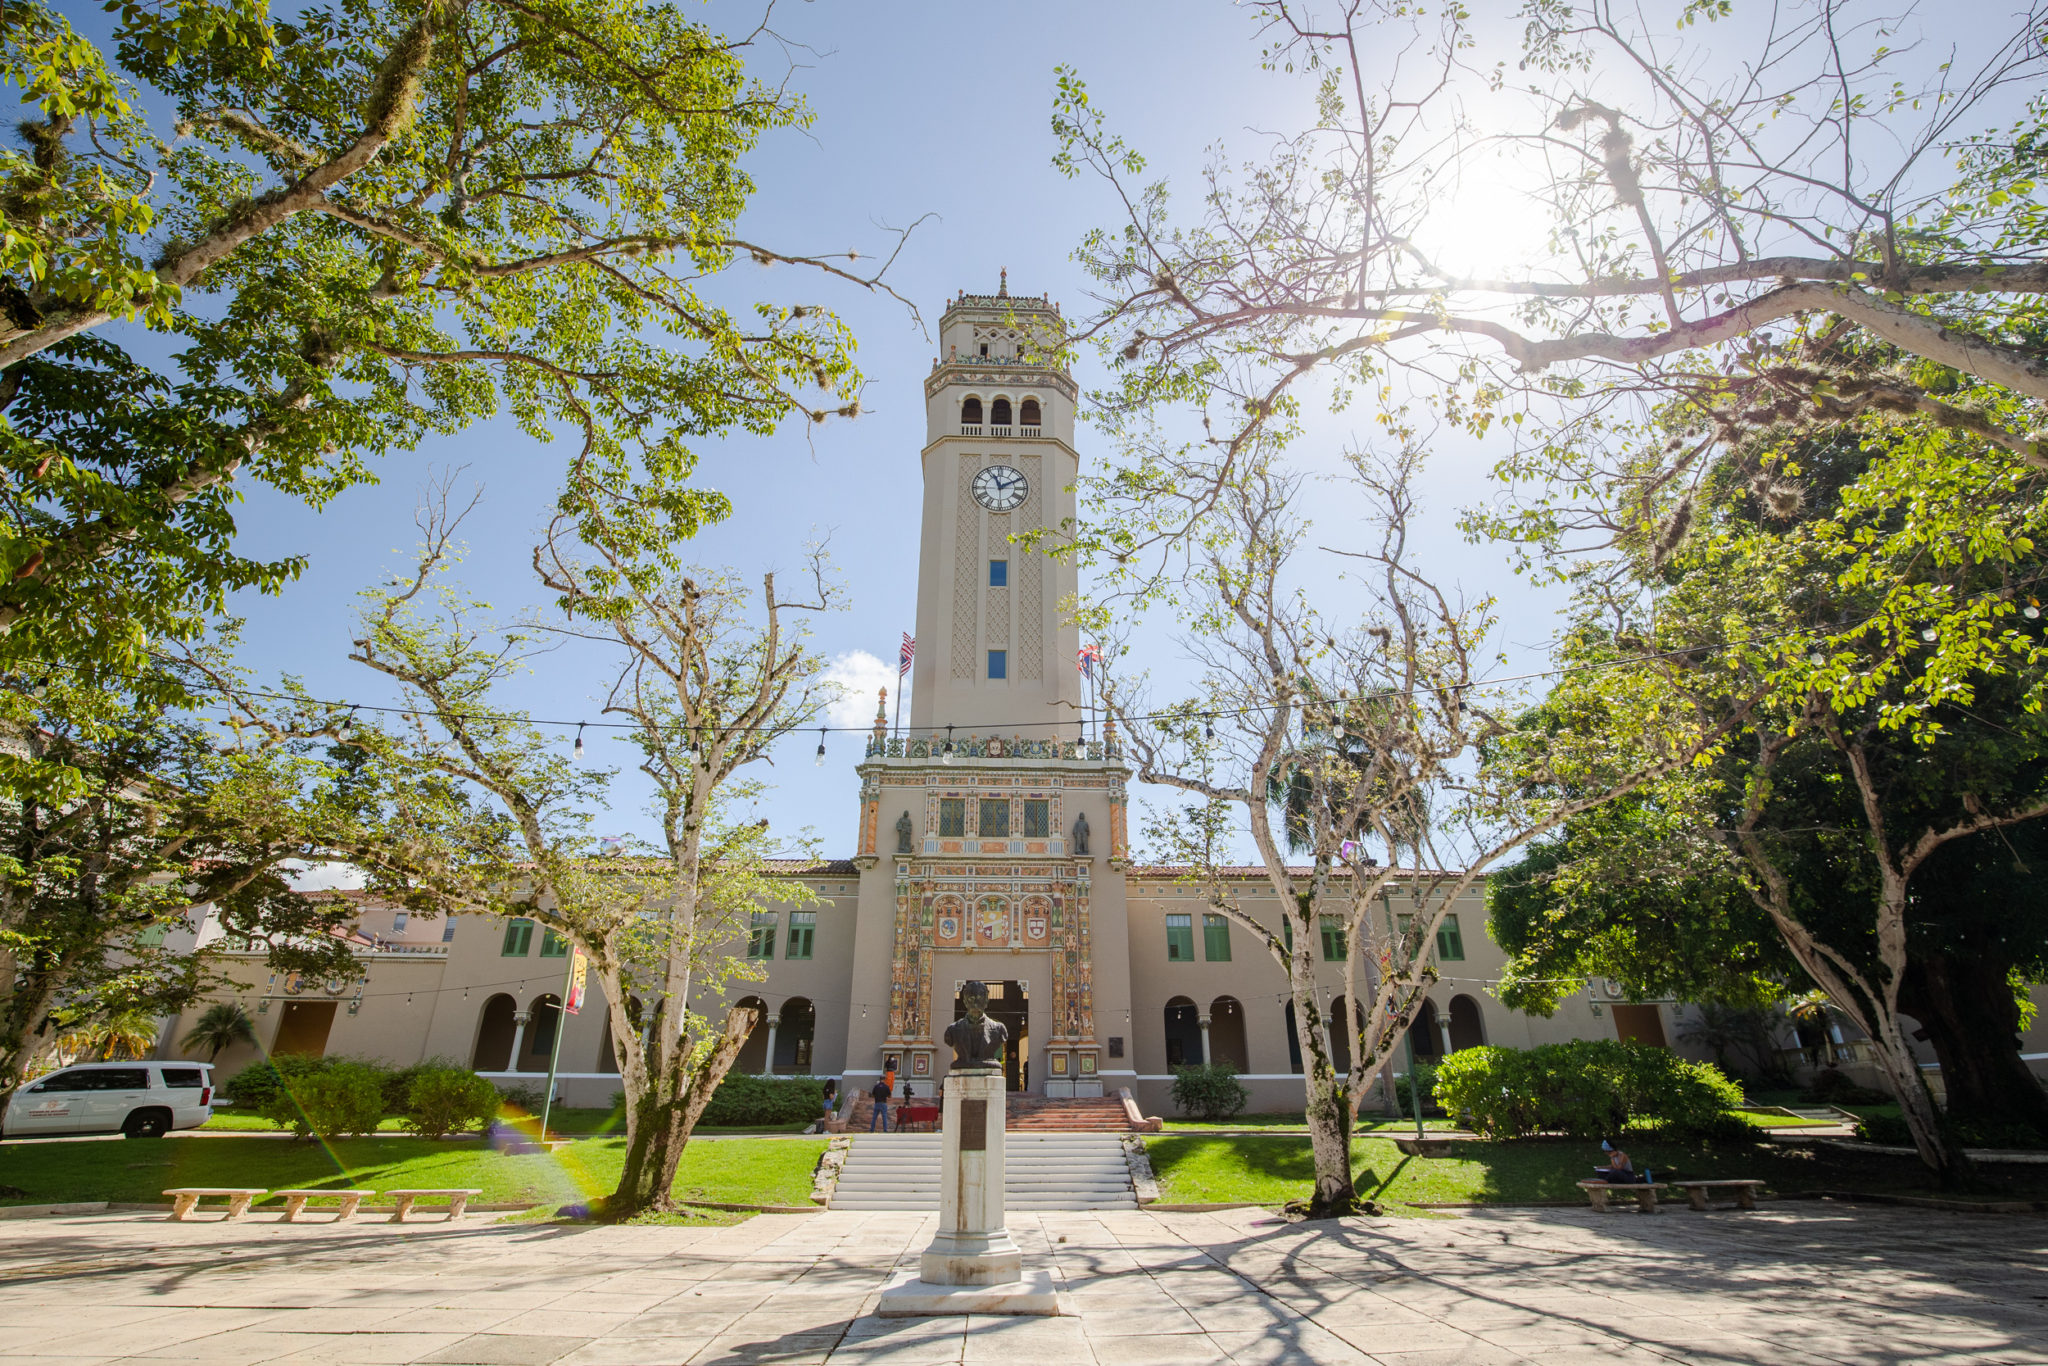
pixel 998 464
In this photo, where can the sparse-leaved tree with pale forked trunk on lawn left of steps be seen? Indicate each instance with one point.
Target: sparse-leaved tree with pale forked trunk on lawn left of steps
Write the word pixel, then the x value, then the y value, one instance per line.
pixel 497 818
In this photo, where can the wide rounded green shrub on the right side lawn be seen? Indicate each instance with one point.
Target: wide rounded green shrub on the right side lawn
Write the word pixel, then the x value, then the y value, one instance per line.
pixel 1586 1088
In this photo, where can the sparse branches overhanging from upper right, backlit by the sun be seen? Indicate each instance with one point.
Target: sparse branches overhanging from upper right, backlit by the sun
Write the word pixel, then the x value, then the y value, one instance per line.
pixel 1732 230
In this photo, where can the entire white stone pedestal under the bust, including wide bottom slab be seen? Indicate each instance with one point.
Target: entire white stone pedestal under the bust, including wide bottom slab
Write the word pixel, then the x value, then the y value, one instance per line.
pixel 972 1265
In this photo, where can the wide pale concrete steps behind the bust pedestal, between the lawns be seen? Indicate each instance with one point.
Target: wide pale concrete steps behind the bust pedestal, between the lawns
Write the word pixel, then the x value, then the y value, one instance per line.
pixel 1046 1172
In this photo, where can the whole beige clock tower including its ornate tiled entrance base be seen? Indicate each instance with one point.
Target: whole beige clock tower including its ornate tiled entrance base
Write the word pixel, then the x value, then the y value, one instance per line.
pixel 994 830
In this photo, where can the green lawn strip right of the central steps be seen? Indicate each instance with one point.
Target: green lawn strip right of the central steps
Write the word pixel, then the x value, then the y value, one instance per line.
pixel 1273 1170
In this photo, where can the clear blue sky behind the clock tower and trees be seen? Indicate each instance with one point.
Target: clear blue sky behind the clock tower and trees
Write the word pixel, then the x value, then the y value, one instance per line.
pixel 921 112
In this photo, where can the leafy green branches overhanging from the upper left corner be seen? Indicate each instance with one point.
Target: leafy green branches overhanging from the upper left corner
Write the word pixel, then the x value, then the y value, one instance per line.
pixel 382 220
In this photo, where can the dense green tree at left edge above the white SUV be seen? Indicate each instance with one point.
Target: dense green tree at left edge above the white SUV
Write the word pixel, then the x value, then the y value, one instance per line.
pixel 120 820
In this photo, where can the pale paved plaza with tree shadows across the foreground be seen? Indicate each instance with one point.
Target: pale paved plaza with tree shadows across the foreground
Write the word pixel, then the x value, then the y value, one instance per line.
pixel 1795 1283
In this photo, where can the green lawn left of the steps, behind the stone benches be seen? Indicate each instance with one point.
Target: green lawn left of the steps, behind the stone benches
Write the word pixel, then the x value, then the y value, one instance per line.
pixel 736 1172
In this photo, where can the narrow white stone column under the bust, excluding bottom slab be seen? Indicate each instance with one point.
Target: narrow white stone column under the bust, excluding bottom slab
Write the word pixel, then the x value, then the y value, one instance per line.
pixel 972 1248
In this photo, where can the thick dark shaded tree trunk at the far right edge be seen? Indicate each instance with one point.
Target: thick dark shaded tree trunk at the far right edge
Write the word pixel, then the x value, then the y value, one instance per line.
pixel 1973 1023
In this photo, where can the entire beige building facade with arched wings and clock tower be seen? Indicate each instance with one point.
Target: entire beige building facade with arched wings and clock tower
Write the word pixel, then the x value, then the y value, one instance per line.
pixel 992 845
